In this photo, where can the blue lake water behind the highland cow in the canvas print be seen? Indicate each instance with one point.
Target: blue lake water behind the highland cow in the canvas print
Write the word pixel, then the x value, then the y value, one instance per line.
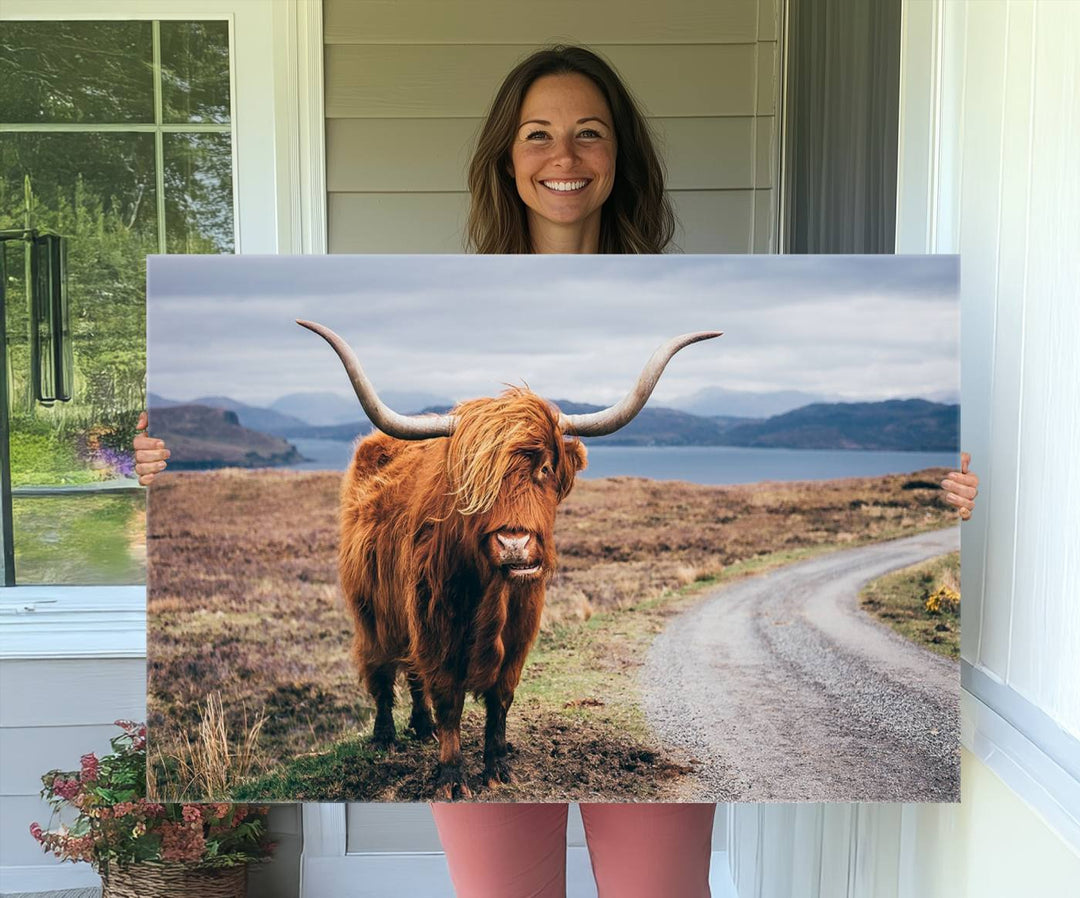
pixel 701 464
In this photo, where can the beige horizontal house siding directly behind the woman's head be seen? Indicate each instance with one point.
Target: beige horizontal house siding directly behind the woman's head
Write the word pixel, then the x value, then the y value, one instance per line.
pixel 409 83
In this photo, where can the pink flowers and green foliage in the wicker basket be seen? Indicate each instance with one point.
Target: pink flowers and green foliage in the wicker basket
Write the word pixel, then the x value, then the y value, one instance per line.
pixel 116 825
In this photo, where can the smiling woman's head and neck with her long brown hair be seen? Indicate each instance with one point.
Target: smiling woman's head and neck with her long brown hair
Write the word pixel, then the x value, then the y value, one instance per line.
pixel 565 164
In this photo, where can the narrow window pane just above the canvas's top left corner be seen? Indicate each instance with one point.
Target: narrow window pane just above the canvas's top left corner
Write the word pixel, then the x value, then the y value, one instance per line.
pixel 199 194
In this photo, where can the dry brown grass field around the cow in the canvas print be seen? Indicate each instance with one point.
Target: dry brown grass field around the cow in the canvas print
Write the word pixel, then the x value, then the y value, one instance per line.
pixel 245 606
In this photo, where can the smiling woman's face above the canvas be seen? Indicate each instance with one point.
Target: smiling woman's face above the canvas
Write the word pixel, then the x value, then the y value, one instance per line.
pixel 563 156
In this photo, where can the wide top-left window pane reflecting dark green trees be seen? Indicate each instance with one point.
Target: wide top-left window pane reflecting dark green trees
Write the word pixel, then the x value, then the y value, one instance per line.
pixel 76 72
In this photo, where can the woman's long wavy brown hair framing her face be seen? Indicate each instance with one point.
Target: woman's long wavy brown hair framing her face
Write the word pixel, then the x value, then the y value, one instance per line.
pixel 637 218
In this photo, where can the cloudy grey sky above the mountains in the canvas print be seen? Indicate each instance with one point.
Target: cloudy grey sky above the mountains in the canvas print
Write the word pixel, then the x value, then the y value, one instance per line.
pixel 862 328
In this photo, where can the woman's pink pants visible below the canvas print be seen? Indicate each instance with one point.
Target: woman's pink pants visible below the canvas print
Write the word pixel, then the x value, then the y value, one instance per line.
pixel 519 851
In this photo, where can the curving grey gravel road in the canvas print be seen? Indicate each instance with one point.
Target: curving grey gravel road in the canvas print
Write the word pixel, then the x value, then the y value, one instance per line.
pixel 785 690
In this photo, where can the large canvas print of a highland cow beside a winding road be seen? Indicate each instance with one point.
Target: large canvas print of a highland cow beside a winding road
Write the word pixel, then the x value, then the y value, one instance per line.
pixel 584 556
